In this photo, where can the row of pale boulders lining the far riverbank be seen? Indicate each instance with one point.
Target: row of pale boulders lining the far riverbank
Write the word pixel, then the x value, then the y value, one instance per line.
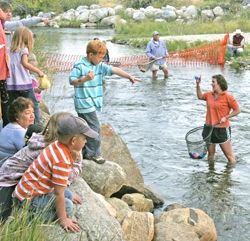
pixel 96 15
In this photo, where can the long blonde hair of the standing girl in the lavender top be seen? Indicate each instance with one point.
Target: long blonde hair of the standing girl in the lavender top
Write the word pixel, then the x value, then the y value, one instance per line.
pixel 22 38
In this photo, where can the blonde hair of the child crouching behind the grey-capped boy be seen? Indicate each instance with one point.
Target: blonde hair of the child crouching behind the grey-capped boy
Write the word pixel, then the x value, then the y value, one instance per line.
pixel 50 132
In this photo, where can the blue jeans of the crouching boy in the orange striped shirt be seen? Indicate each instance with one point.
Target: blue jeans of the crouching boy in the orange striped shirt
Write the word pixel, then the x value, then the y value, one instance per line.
pixel 45 205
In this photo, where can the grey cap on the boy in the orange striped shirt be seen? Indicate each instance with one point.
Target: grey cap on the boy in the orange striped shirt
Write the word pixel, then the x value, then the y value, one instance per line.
pixel 73 125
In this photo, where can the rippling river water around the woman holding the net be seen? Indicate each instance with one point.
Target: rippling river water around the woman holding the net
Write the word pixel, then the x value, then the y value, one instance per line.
pixel 152 117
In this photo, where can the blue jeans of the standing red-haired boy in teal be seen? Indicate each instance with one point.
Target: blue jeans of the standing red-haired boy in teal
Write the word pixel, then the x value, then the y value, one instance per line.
pixel 93 146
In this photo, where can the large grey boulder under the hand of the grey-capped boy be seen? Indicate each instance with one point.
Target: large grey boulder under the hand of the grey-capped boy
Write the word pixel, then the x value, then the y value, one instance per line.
pixel 93 216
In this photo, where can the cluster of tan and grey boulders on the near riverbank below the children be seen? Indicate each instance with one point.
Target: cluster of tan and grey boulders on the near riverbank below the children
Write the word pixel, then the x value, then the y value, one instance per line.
pixel 118 206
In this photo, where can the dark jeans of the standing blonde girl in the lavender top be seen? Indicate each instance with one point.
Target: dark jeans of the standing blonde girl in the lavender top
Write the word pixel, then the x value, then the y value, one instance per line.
pixel 13 94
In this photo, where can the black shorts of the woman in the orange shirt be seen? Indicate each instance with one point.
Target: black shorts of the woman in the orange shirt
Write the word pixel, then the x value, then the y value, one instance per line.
pixel 219 135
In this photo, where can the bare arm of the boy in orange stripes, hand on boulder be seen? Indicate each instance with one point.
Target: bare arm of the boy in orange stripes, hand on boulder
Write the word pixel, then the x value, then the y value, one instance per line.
pixel 67 223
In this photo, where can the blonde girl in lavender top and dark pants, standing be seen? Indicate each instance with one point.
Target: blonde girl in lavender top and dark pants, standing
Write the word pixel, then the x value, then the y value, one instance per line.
pixel 20 81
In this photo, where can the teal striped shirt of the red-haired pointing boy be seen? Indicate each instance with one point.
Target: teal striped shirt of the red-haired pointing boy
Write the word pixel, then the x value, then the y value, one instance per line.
pixel 89 95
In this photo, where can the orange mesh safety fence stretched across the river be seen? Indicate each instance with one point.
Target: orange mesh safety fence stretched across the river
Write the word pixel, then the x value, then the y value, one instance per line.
pixel 212 53
